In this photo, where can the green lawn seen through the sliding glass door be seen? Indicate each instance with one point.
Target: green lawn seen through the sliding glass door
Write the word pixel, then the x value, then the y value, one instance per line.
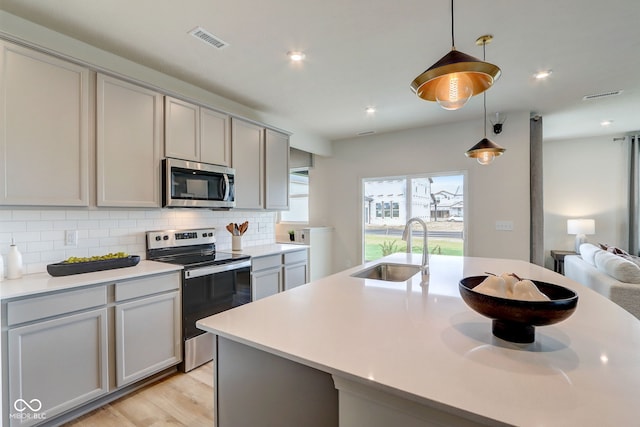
pixel 373 246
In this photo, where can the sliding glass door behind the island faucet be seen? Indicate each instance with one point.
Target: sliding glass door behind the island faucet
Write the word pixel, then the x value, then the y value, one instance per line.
pixel 388 202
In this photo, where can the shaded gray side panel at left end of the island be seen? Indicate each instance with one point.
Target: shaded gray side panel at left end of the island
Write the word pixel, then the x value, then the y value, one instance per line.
pixel 255 388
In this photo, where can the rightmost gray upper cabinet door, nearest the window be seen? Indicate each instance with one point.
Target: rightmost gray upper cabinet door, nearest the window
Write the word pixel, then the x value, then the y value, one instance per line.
pixel 276 170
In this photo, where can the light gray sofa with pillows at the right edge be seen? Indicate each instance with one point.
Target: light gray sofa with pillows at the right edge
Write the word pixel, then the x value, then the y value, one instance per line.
pixel 591 269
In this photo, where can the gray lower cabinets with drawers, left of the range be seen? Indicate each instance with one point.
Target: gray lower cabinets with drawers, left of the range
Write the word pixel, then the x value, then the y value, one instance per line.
pixel 70 348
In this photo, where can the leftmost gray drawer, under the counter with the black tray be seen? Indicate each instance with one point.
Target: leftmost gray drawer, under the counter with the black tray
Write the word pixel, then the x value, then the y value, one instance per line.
pixel 36 308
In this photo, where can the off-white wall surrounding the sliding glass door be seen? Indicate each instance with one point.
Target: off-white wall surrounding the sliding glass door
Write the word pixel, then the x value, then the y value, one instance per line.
pixel 499 191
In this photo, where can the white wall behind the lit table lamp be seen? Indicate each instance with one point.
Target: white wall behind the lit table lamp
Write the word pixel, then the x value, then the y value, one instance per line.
pixel 585 178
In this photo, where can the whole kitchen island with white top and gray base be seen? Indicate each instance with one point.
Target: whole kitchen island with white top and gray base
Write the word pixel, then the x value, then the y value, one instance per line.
pixel 352 352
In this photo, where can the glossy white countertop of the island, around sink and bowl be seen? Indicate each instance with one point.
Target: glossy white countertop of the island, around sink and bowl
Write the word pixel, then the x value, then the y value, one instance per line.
pixel 425 344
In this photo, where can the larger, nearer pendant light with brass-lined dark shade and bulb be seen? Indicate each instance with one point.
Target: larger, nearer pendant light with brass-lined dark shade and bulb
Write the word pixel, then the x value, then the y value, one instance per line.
pixel 455 78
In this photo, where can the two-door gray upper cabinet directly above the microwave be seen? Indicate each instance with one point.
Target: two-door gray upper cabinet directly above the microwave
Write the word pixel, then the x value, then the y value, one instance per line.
pixel 196 133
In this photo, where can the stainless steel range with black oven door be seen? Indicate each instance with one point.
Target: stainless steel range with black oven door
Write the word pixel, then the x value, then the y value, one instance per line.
pixel 212 282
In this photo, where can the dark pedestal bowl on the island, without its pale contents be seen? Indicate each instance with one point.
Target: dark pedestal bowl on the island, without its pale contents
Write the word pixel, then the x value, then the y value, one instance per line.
pixel 515 320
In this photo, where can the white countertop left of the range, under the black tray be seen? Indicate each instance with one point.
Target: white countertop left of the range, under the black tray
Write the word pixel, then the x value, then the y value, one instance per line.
pixel 34 284
